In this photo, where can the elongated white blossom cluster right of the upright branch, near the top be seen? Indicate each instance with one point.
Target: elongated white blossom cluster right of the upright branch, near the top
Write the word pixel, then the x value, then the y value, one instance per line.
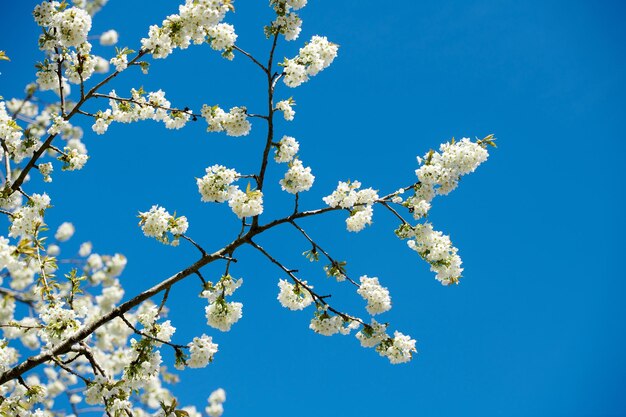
pixel 314 57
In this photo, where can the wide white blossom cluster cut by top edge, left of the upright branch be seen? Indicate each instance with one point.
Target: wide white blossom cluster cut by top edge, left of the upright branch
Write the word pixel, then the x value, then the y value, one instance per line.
pixel 197 21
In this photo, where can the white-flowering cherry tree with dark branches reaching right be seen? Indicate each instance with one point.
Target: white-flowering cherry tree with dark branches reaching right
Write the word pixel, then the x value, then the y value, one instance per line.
pixel 68 339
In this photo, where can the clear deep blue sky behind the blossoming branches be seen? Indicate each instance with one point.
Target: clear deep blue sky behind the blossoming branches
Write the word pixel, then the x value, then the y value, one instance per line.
pixel 536 326
